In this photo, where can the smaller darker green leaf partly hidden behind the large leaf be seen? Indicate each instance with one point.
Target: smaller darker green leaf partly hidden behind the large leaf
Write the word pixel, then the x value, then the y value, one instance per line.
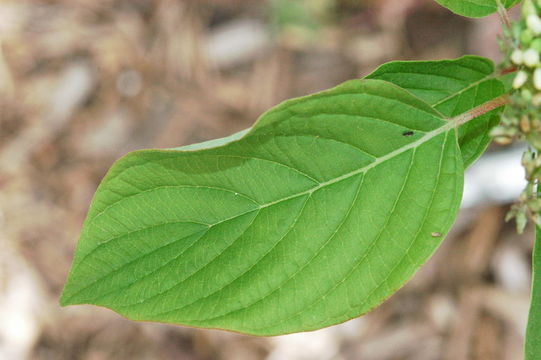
pixel 452 87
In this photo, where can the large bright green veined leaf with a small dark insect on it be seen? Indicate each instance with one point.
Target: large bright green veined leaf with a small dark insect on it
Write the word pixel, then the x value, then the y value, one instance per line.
pixel 321 211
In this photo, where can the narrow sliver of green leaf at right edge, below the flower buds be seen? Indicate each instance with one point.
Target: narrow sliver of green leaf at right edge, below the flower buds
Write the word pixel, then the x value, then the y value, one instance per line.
pixel 533 332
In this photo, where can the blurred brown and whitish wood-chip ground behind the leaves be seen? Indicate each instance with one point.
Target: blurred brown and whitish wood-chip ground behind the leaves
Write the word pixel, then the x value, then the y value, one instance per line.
pixel 82 82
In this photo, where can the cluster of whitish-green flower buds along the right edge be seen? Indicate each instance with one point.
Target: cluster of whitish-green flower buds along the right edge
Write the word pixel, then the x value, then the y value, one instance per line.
pixel 522 117
